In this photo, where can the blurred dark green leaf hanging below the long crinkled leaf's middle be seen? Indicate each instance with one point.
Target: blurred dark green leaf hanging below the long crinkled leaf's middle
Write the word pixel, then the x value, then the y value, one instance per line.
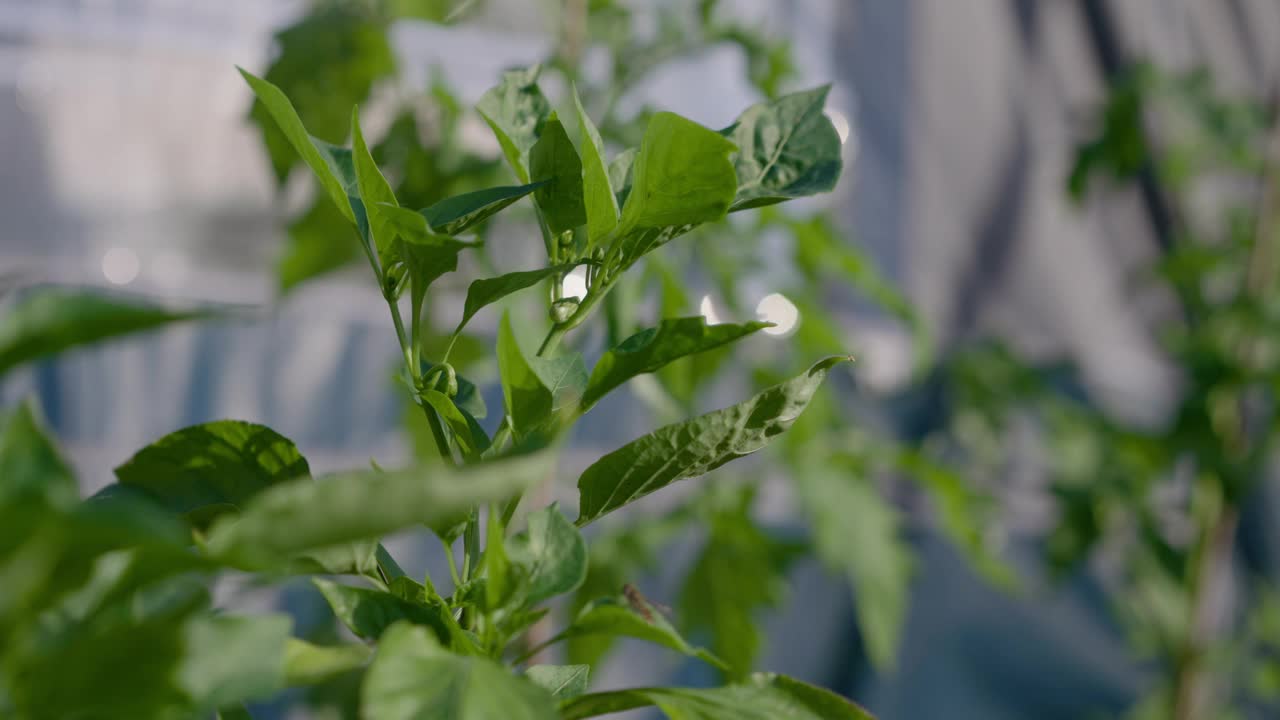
pixel 739 572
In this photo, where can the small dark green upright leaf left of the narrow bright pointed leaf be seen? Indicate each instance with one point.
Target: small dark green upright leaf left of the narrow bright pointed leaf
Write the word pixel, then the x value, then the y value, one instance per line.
pixel 555 163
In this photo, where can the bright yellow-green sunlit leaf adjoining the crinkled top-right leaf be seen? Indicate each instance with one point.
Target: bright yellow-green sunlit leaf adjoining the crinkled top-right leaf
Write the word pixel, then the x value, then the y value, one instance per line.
pixel 683 176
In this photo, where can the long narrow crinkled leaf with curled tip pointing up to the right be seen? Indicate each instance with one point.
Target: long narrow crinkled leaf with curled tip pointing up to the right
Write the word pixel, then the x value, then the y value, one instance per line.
pixel 697 446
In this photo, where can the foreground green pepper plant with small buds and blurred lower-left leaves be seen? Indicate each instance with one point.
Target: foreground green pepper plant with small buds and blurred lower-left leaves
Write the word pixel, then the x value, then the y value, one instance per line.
pixel 106 609
